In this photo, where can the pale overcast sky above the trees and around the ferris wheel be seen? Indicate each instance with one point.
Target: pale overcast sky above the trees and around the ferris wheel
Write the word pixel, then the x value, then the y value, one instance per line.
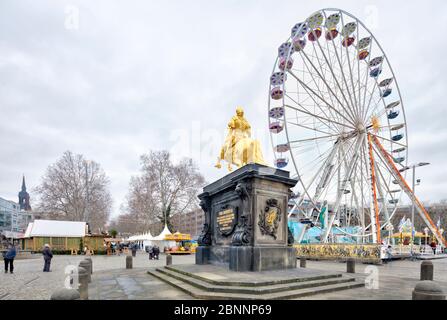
pixel 113 79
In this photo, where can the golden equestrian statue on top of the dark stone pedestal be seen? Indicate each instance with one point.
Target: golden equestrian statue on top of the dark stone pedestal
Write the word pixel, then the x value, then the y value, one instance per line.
pixel 239 148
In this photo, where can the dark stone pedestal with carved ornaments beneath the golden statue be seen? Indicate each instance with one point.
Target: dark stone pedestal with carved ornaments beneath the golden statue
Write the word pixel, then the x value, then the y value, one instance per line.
pixel 246 220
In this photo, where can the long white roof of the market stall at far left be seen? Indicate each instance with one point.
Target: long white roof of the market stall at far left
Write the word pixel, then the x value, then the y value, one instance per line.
pixel 53 228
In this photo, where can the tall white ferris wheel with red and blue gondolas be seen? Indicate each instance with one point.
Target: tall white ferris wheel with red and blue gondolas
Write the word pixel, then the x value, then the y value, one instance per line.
pixel 336 118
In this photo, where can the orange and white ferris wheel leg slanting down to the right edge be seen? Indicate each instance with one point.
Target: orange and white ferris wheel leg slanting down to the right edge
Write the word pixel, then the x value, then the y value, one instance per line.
pixel 404 185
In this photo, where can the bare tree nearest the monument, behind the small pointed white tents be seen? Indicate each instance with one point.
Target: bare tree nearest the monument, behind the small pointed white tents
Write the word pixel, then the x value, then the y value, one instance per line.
pixel 162 190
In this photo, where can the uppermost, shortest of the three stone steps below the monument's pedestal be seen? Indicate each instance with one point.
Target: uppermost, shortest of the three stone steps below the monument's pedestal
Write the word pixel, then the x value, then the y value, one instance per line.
pixel 255 284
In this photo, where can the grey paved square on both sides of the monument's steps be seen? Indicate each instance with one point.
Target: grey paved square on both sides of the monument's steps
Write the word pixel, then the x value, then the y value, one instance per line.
pixel 111 280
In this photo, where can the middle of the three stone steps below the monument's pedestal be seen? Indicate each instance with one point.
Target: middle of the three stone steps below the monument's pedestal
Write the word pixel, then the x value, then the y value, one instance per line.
pixel 273 288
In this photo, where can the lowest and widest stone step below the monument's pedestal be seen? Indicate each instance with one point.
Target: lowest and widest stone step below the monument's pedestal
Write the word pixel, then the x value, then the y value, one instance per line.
pixel 297 293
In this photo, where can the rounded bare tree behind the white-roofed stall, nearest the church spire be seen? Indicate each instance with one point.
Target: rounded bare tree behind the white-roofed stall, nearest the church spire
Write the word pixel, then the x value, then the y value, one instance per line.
pixel 77 190
